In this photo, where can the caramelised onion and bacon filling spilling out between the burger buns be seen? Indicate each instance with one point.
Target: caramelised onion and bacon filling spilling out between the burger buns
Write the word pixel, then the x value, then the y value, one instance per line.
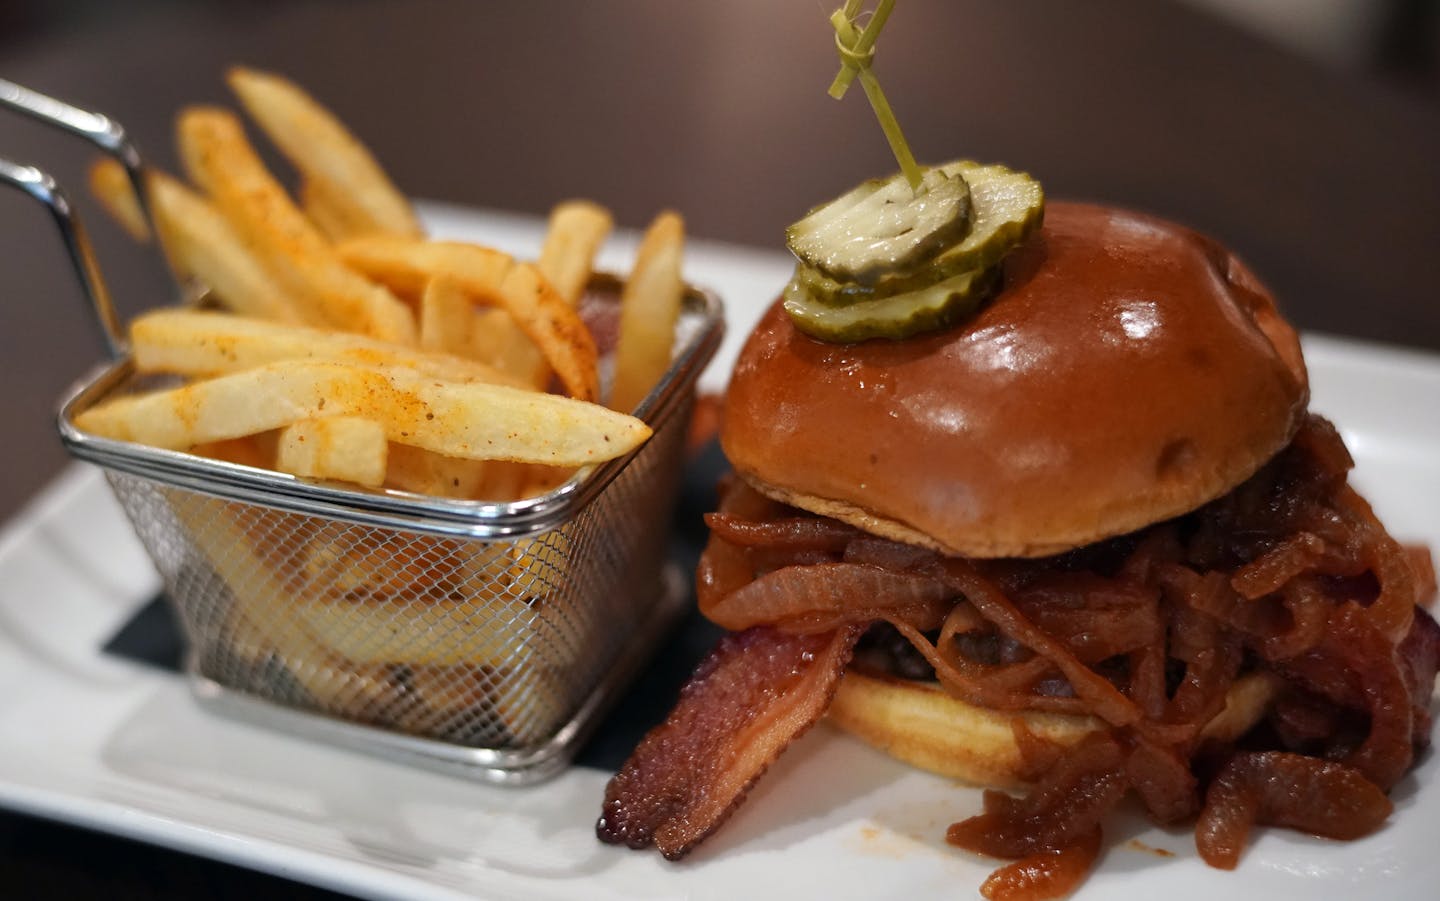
pixel 1290 574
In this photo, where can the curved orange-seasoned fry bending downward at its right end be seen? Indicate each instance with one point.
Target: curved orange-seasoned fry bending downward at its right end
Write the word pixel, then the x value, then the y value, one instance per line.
pixel 496 280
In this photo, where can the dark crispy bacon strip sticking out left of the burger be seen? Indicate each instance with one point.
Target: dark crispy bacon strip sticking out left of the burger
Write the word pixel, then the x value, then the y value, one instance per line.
pixel 757 693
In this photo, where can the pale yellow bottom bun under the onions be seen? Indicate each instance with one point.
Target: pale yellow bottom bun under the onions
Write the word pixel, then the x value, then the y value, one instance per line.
pixel 924 726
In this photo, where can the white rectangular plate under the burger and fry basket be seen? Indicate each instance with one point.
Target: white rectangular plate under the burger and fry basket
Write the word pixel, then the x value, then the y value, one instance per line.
pixel 123 749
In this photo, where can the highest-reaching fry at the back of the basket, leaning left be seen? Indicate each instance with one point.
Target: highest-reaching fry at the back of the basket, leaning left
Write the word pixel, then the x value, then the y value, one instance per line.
pixel 326 153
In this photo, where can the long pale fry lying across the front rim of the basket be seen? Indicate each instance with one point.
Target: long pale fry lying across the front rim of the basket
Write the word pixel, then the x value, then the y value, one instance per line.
pixel 470 421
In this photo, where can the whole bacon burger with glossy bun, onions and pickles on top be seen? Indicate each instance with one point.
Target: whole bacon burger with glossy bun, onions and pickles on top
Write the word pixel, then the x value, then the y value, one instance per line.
pixel 1062 526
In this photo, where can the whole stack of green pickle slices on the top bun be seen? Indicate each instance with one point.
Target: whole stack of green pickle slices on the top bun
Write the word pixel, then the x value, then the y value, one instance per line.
pixel 888 263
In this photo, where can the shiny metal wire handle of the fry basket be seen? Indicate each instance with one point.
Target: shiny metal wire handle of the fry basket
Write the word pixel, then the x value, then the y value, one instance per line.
pixel 109 136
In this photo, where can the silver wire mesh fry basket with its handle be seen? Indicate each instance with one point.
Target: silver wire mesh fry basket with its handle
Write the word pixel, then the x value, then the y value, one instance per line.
pixel 483 638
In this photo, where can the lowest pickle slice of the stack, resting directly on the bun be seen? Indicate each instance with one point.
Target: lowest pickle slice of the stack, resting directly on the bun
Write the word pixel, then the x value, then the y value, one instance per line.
pixel 899 316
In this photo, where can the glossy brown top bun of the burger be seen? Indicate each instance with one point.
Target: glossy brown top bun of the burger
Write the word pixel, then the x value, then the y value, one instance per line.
pixel 1131 371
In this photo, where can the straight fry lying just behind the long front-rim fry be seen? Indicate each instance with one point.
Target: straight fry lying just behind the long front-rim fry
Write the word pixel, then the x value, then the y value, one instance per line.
pixel 201 343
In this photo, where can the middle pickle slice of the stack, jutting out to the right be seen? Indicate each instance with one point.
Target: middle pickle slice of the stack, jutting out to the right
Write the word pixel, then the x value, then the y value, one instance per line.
pixel 1006 208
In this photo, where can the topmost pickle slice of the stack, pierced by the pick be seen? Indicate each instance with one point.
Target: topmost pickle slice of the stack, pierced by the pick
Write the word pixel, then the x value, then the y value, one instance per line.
pixel 883 227
